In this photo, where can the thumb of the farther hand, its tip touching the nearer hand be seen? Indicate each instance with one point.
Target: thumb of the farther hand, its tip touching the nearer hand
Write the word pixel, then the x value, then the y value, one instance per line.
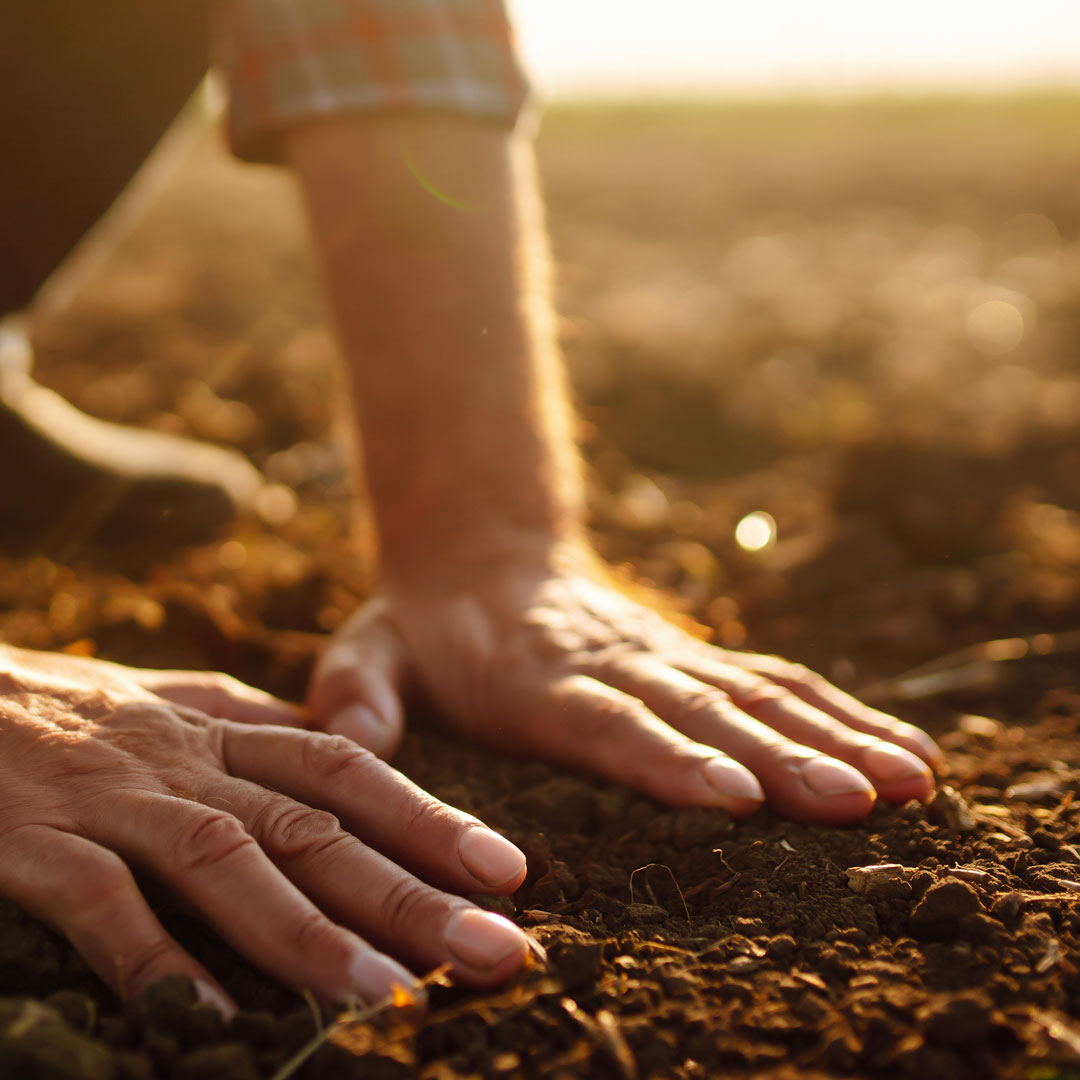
pixel 356 690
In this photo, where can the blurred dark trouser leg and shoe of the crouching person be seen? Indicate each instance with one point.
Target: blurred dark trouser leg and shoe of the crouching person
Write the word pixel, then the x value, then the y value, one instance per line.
pixel 89 89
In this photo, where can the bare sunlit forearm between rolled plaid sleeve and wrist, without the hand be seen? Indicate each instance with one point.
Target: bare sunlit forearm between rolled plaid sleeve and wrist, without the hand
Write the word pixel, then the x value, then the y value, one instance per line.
pixel 435 253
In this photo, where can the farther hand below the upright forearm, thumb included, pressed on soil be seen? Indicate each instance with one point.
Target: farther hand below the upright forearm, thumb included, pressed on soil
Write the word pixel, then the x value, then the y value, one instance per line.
pixel 541 656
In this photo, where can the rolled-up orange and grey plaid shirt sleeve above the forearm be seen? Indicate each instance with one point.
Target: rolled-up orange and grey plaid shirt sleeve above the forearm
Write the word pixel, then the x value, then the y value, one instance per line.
pixel 295 60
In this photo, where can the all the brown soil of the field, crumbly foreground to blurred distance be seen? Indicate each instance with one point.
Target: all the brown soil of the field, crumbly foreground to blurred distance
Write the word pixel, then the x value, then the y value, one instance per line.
pixel 857 321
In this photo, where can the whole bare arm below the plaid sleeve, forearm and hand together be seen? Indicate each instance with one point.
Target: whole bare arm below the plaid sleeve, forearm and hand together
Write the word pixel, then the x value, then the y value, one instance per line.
pixel 491 595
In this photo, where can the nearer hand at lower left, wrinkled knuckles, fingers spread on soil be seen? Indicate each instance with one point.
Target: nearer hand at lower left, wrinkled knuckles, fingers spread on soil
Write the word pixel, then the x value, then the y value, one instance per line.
pixel 212 788
